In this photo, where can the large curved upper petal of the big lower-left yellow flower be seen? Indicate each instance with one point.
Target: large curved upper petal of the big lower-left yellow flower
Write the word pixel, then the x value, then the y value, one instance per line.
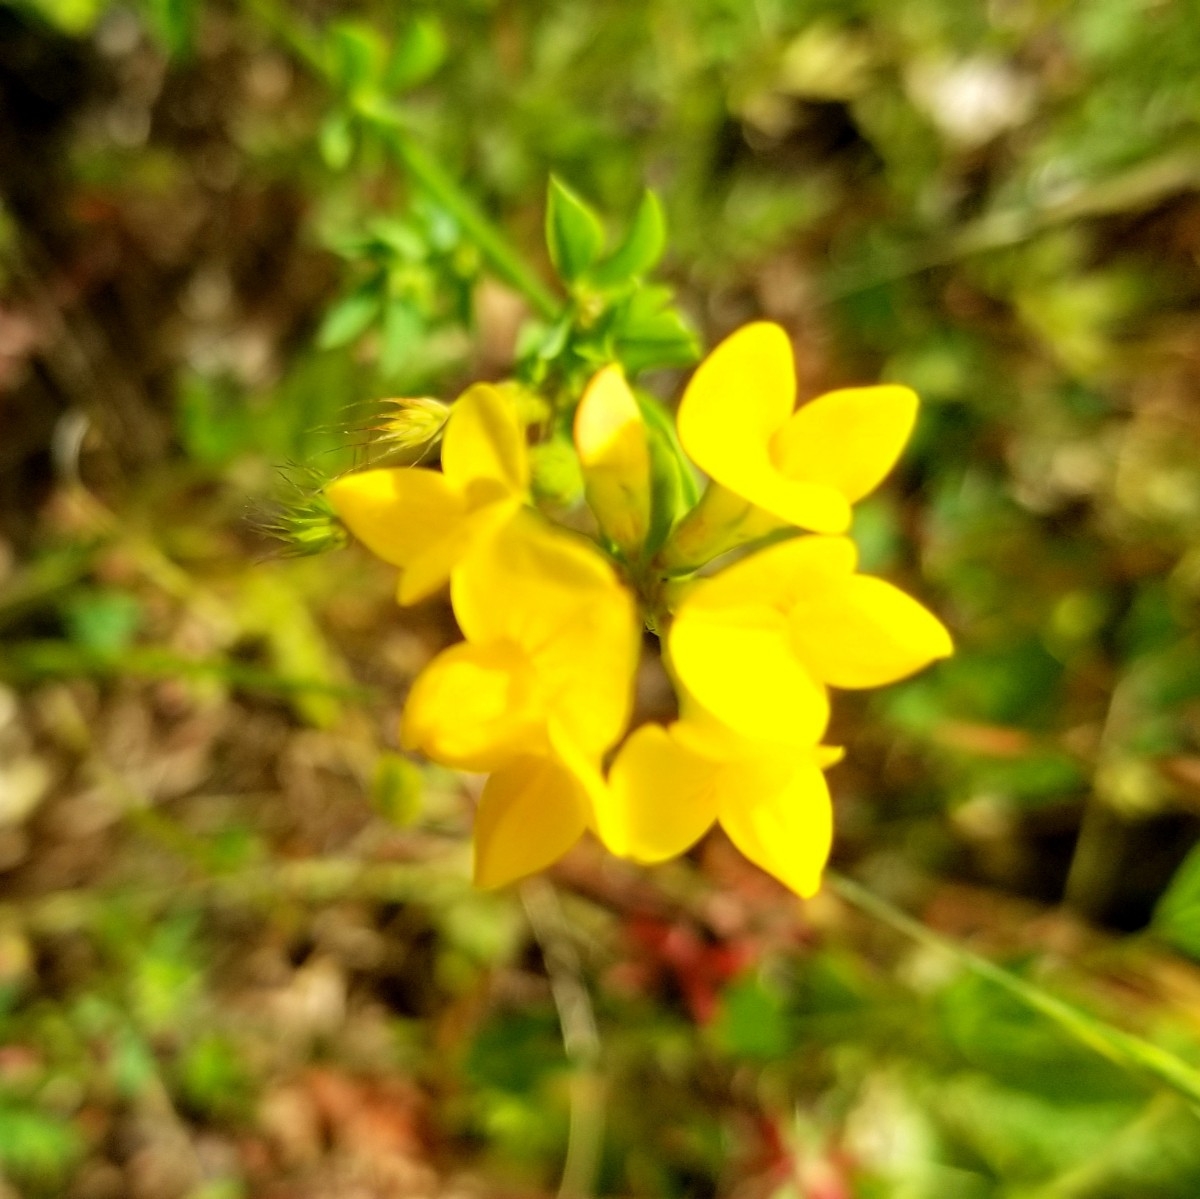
pixel 555 595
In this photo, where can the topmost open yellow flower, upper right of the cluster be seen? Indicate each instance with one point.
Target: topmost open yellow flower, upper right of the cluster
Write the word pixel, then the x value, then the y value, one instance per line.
pixel 805 467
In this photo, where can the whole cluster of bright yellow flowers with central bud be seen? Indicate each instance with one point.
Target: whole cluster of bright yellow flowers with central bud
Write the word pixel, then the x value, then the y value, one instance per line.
pixel 541 693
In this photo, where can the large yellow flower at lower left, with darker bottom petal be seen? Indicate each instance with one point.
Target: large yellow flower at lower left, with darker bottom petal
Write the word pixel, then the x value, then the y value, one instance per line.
pixel 539 691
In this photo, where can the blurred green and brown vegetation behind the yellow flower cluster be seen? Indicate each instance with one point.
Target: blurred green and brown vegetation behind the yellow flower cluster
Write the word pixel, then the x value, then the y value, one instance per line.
pixel 239 956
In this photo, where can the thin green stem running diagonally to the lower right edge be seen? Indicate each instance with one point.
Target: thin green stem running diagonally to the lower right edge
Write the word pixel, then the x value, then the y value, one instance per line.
pixel 1119 1047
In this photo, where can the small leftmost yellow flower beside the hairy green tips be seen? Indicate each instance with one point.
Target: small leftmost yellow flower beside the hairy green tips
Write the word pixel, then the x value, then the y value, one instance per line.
pixel 427 521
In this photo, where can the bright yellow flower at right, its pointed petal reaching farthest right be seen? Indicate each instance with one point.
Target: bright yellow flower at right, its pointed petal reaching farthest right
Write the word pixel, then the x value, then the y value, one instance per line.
pixel 758 644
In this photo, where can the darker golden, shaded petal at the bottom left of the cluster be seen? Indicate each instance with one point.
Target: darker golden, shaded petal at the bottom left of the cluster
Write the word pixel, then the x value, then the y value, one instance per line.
pixel 531 813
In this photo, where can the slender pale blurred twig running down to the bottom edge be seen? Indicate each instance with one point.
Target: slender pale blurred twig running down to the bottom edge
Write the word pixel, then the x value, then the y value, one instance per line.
pixel 581 1040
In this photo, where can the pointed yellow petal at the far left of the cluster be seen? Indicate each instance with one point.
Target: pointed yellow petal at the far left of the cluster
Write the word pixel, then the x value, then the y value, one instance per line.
pixel 398 514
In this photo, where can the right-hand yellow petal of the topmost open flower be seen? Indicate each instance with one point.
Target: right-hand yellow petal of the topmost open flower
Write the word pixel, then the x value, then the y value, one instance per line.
pixel 848 440
